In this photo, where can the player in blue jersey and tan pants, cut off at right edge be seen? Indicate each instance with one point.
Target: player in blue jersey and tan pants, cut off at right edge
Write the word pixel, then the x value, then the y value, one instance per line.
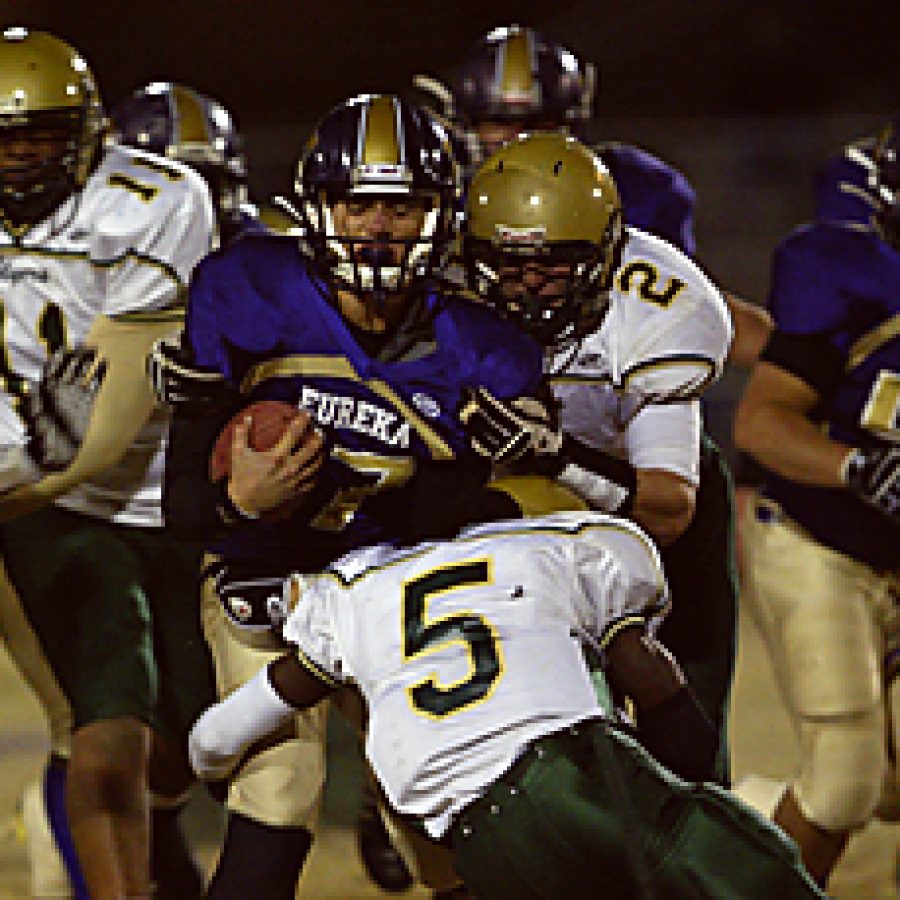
pixel 823 537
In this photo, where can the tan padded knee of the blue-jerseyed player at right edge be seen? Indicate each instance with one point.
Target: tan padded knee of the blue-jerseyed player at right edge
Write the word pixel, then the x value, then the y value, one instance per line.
pixel 843 771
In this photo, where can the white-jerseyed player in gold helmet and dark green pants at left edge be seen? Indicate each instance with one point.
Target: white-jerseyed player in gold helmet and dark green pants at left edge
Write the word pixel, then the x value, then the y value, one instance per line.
pixel 97 244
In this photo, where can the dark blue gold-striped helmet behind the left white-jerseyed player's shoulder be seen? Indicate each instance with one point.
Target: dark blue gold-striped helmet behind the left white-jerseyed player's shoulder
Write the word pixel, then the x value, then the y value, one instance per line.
pixel 177 122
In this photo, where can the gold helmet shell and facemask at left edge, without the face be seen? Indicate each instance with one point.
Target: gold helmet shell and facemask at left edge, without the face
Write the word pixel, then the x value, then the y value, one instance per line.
pixel 46 82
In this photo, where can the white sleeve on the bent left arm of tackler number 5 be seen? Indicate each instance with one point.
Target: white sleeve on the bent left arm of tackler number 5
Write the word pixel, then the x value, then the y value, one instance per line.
pixel 222 735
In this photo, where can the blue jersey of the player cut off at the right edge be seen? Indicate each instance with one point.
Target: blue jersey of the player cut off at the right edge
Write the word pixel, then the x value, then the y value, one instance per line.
pixel 842 283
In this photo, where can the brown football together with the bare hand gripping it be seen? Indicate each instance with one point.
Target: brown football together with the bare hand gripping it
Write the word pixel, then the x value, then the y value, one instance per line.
pixel 272 452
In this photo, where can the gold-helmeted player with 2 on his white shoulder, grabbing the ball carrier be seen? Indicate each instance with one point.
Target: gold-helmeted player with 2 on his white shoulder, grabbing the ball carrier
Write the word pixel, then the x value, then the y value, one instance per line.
pixel 634 333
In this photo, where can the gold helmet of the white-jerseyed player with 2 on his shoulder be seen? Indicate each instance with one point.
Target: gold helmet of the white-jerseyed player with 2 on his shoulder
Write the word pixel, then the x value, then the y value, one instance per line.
pixel 544 234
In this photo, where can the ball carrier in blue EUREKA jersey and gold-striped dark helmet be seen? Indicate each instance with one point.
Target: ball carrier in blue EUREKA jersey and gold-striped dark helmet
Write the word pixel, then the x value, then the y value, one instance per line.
pixel 346 324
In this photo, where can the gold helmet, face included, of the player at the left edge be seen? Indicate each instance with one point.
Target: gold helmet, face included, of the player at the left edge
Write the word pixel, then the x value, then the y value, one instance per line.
pixel 51 123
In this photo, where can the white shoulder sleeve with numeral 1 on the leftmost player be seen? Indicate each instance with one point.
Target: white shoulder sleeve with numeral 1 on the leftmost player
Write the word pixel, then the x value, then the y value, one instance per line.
pixel 154 224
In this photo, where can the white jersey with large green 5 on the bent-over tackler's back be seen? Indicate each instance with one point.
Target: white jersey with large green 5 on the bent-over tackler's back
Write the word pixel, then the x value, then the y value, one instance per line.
pixel 467 651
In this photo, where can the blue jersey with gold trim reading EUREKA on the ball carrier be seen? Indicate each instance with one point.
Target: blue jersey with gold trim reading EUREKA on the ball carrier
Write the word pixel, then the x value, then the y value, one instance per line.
pixel 258 314
